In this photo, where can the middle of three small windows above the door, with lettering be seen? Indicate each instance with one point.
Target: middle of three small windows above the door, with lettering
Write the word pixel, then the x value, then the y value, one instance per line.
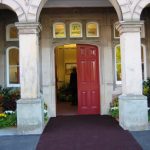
pixel 75 30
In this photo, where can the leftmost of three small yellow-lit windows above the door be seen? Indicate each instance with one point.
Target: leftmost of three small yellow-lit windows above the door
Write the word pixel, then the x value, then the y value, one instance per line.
pixel 59 30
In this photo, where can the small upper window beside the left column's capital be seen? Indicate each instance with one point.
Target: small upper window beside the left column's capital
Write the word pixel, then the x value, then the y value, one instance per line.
pixel 11 33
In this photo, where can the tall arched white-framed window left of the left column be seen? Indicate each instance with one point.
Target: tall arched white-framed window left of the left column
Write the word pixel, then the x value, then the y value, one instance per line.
pixel 13 79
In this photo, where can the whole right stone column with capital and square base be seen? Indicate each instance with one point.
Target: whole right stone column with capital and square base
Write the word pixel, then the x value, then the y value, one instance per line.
pixel 133 114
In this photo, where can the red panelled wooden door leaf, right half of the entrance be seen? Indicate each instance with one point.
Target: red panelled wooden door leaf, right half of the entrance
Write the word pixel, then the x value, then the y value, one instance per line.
pixel 88 79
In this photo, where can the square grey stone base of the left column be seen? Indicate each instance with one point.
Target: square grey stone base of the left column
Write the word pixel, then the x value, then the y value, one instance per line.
pixel 30 118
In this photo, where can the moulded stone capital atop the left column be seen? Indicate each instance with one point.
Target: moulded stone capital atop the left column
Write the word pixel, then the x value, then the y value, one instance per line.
pixel 28 28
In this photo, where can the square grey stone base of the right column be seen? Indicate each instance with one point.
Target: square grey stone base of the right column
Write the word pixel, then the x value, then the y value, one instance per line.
pixel 133 112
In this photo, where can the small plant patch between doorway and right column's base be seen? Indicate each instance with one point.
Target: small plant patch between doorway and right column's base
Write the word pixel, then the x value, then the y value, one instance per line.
pixel 114 109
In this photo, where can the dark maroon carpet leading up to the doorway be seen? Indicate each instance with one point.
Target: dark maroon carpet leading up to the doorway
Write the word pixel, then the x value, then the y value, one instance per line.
pixel 92 132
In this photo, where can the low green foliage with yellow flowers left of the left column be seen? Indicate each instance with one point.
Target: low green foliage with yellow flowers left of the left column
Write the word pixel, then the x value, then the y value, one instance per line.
pixel 8 120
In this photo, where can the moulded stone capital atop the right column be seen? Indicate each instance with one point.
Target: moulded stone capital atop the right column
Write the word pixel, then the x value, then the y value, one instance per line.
pixel 129 26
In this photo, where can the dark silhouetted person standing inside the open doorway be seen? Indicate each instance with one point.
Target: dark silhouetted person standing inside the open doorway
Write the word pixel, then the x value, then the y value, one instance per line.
pixel 73 86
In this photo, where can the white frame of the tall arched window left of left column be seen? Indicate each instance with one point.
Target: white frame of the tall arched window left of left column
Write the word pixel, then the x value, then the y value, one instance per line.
pixel 7 67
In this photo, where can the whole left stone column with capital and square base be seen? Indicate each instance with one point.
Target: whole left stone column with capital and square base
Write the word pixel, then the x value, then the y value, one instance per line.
pixel 30 106
